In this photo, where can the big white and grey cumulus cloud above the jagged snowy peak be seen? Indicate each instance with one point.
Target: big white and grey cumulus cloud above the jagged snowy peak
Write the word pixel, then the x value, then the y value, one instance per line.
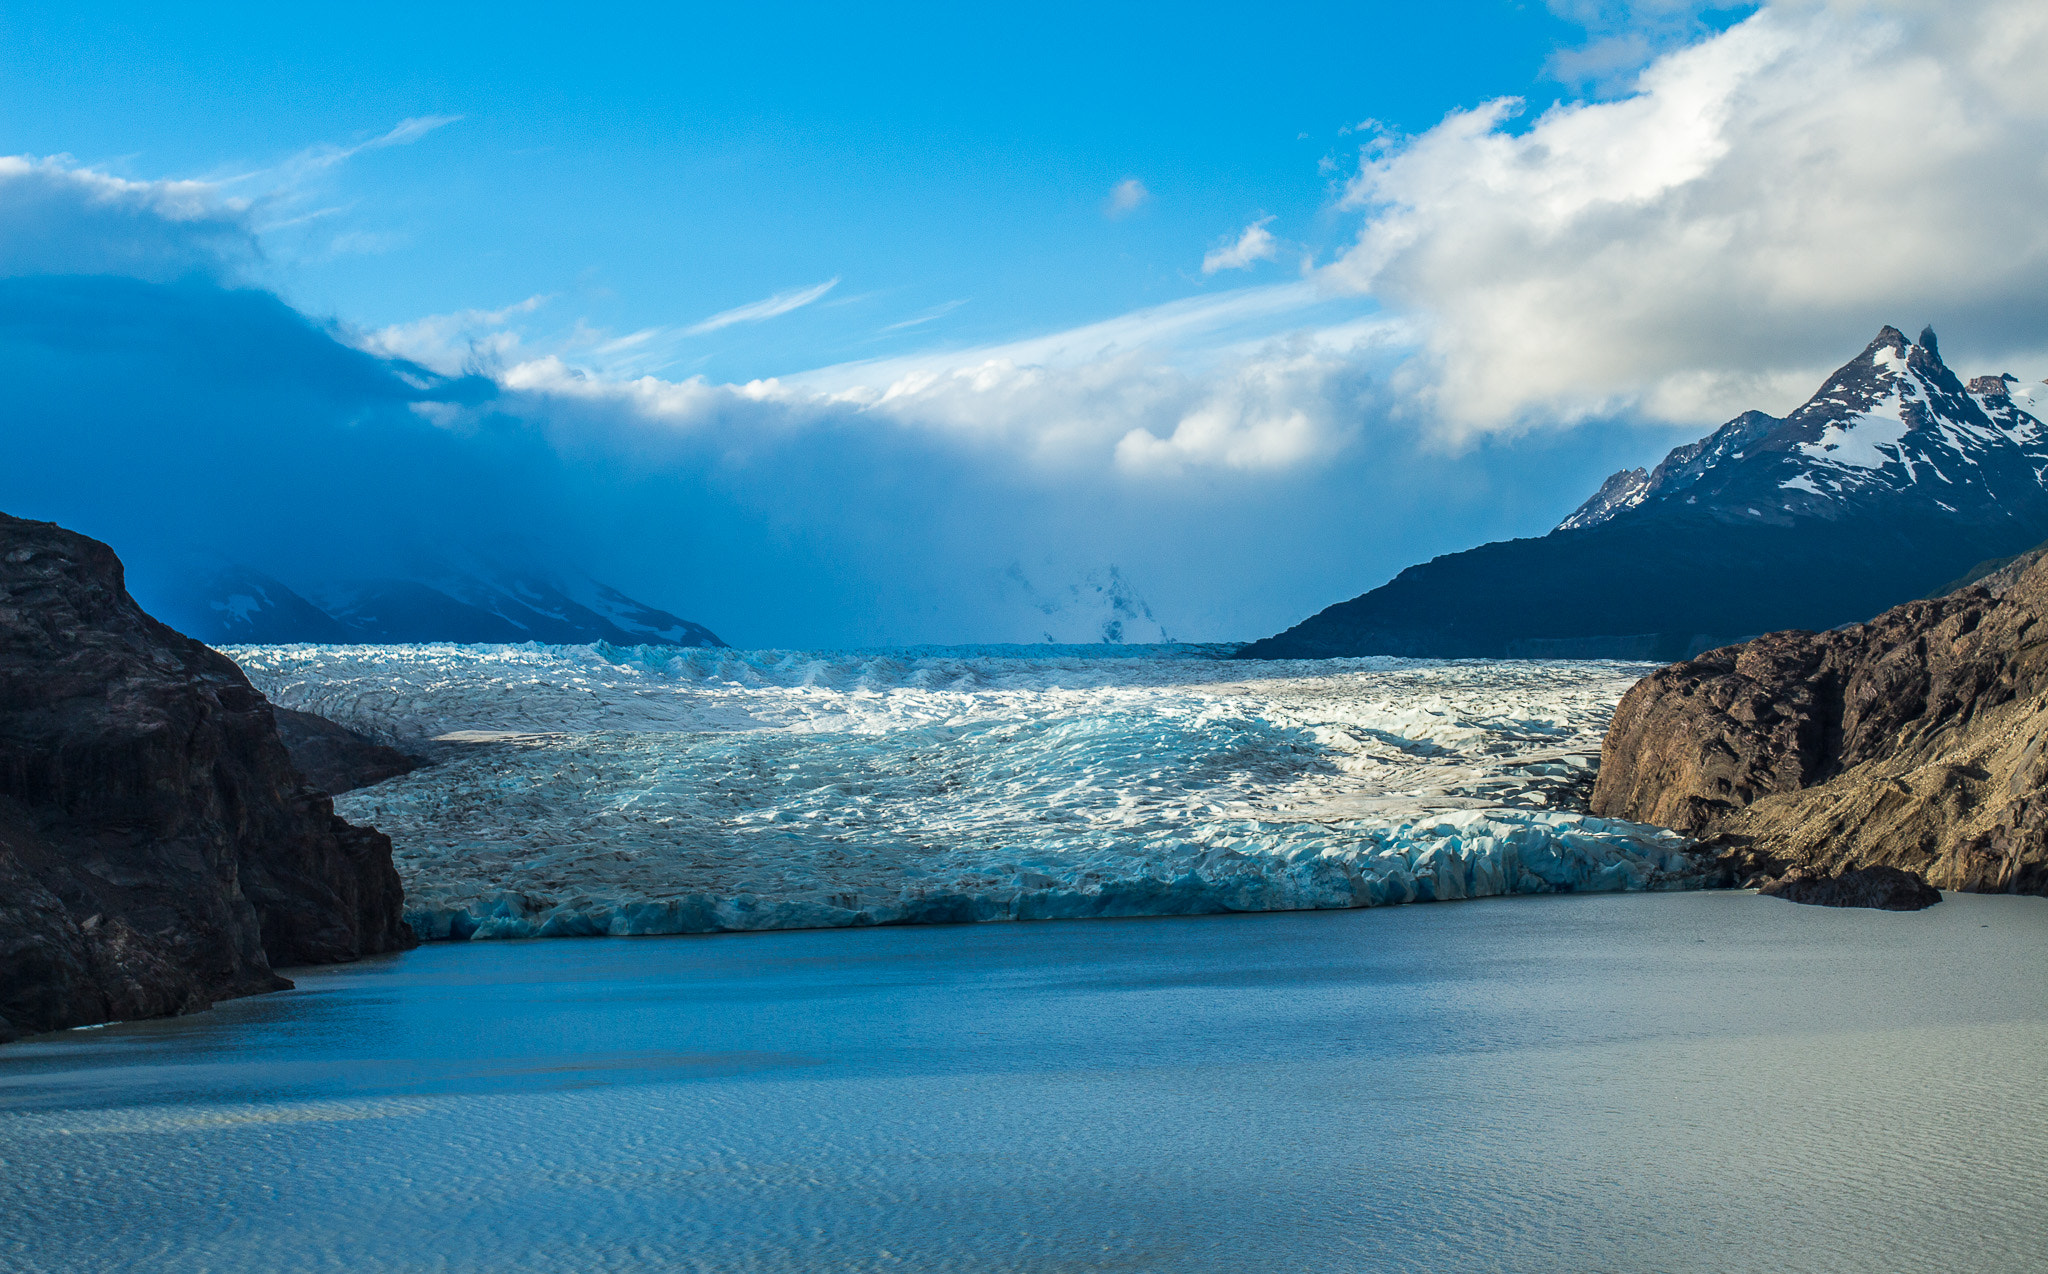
pixel 1711 243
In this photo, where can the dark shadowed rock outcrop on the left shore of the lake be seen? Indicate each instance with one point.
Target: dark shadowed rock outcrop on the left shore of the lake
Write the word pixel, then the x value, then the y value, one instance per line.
pixel 159 851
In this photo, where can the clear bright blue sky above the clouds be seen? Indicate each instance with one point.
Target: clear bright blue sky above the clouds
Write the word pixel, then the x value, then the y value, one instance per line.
pixel 949 169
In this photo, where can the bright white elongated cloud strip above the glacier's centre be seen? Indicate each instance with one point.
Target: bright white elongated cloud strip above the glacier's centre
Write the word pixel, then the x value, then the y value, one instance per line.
pixel 1254 380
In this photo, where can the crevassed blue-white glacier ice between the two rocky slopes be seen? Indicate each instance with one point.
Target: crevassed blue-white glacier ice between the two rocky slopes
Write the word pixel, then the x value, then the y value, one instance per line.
pixel 597 790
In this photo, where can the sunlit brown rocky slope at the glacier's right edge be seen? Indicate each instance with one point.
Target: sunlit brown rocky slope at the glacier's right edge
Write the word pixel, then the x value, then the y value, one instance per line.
pixel 1918 740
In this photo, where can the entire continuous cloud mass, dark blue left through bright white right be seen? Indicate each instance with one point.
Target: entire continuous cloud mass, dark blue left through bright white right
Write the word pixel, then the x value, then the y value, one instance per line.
pixel 1668 257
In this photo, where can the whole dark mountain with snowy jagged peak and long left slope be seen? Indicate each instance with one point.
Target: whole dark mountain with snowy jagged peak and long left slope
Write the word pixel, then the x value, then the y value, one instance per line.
pixel 1885 484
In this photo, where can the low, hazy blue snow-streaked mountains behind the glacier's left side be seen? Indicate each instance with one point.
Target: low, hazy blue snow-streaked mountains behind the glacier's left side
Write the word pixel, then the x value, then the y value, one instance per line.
pixel 228 605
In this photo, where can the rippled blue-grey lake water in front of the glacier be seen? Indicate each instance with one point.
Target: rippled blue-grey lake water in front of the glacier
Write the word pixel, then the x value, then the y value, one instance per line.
pixel 1676 1082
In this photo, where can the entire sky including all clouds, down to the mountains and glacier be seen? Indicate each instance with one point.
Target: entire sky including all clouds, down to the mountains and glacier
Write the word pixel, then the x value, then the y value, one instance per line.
pixel 833 327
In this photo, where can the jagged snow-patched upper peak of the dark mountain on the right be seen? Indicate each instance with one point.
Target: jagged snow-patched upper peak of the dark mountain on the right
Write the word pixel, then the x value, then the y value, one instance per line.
pixel 1889 429
